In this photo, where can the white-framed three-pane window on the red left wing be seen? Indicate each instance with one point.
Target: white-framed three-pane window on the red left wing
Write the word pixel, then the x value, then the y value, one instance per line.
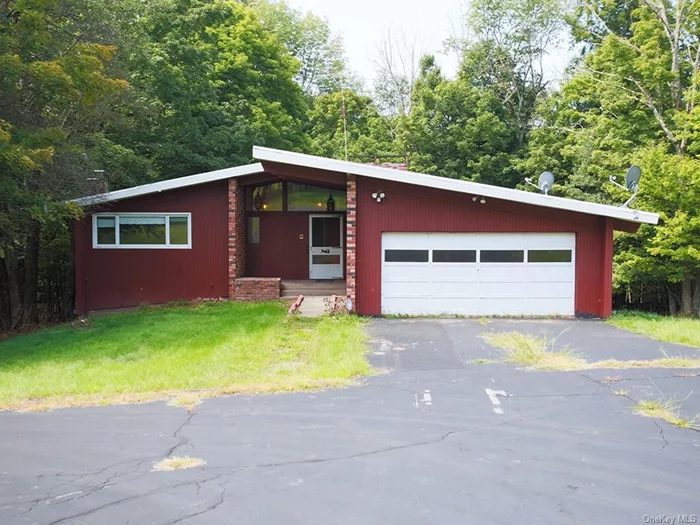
pixel 142 230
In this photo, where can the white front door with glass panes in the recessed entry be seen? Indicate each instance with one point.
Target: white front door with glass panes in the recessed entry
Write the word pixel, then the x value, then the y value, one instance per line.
pixel 326 247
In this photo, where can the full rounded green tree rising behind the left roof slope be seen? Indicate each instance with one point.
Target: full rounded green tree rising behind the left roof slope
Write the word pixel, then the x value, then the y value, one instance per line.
pixel 214 82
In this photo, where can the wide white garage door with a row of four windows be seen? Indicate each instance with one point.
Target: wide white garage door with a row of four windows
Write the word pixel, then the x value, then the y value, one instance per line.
pixel 478 273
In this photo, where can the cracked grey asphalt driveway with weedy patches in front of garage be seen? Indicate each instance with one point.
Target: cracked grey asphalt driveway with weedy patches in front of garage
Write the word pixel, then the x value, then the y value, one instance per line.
pixel 423 443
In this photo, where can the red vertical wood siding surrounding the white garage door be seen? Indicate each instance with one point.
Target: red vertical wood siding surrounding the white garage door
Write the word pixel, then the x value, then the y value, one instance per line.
pixel 416 209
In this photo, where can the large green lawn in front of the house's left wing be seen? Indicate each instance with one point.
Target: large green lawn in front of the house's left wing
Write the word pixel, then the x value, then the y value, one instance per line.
pixel 154 352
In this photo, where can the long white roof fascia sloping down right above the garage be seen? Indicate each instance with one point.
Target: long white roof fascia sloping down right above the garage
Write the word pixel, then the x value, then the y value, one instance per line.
pixel 461 186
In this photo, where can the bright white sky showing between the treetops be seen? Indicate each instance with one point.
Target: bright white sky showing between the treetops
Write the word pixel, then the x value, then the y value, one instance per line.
pixel 362 24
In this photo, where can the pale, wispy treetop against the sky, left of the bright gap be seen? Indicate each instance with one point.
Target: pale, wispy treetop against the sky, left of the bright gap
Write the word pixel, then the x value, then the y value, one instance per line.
pixel 309 39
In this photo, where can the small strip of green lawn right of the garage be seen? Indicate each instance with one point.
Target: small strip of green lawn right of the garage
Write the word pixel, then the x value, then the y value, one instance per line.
pixel 680 330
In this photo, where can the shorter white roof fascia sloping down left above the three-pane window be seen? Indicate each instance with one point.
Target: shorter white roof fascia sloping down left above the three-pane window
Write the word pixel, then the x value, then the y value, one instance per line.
pixel 170 184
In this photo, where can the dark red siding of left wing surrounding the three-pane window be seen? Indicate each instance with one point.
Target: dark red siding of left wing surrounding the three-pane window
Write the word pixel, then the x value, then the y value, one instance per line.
pixel 114 278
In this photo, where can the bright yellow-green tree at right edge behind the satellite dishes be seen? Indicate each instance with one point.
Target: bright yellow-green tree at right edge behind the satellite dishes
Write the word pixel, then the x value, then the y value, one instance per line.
pixel 633 99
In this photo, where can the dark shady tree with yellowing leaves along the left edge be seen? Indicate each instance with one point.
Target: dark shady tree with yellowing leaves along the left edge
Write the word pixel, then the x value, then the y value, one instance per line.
pixel 53 86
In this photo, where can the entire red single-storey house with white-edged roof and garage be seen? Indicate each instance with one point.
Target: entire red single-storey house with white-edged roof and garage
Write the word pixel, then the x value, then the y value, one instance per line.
pixel 396 241
